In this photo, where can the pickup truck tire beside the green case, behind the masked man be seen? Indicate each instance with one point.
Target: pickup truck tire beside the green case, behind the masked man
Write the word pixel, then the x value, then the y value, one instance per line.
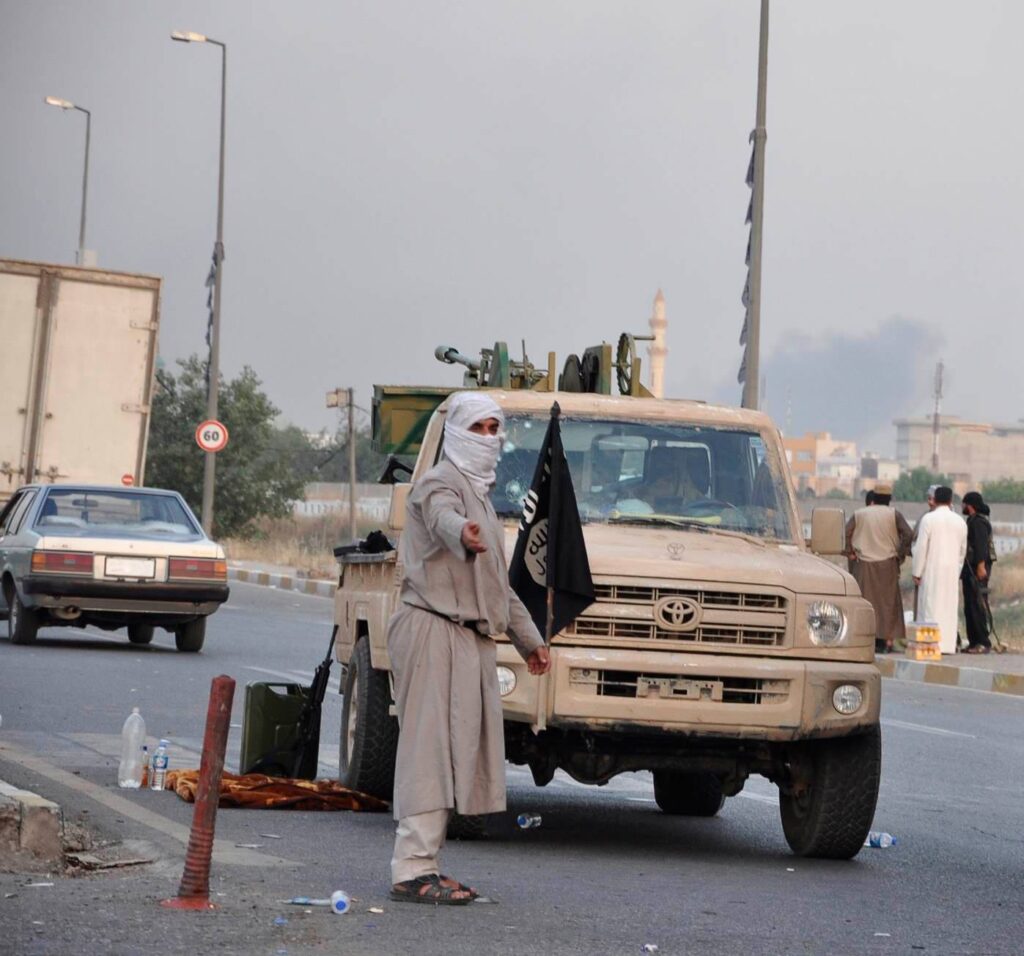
pixel 369 733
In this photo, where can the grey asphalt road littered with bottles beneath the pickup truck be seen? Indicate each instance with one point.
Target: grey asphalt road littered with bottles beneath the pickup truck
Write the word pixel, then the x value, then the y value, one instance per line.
pixel 607 873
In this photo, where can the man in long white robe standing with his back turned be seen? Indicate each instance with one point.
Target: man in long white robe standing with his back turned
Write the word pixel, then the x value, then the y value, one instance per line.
pixel 938 558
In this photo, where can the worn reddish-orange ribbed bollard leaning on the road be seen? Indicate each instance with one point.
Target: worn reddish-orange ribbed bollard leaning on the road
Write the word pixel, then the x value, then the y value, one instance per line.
pixel 194 893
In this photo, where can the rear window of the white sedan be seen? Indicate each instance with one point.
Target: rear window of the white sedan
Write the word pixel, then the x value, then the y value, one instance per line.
pixel 123 514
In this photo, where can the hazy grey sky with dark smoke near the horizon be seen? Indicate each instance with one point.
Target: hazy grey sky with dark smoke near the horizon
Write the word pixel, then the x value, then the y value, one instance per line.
pixel 405 175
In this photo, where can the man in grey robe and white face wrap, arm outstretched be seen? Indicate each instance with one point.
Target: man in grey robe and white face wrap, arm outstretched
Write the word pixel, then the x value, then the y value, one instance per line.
pixel 455 599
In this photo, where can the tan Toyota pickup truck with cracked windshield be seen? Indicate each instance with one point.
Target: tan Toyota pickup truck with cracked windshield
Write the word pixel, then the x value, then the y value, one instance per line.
pixel 719 645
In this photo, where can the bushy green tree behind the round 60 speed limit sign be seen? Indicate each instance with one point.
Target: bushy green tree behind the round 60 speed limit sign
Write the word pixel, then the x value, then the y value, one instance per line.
pixel 260 473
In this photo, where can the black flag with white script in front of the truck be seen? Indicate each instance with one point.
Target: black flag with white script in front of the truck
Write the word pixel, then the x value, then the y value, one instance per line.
pixel 550 571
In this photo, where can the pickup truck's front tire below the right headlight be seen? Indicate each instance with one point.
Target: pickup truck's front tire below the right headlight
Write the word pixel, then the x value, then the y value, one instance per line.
pixel 832 818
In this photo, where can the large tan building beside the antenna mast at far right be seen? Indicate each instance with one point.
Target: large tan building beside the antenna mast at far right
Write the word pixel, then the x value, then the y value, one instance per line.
pixel 974 452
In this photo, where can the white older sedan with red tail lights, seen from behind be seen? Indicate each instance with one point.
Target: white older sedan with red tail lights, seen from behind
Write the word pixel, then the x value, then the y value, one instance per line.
pixel 109 557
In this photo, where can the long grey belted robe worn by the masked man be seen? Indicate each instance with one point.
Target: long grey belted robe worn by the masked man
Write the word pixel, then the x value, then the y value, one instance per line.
pixel 451 741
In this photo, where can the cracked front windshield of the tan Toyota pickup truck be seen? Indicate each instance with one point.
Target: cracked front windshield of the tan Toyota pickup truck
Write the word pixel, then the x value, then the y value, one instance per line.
pixel 665 473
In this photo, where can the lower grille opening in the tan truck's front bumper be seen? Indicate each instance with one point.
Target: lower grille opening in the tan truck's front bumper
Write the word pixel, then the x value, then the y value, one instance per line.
pixel 730 690
